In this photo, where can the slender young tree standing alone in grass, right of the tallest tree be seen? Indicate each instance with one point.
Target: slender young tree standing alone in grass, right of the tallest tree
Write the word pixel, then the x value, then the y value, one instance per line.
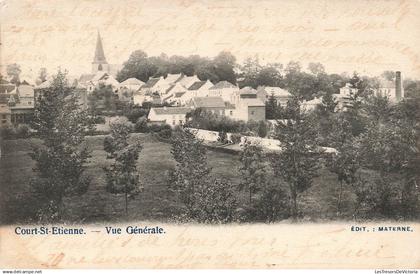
pixel 122 176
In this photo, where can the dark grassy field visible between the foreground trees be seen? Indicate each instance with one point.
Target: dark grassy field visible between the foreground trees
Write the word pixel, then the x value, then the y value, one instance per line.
pixel 155 203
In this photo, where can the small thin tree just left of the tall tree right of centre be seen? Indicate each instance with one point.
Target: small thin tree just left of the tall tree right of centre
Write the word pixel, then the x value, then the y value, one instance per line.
pixel 253 168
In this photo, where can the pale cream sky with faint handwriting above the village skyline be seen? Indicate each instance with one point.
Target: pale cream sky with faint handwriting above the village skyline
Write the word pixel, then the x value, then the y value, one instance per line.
pixel 345 36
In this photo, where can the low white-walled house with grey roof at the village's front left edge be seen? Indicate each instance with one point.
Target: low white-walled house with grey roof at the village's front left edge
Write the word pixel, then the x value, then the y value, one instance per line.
pixel 173 116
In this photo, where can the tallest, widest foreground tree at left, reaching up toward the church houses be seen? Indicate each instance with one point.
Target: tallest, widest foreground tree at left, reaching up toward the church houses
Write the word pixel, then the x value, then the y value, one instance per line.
pixel 60 162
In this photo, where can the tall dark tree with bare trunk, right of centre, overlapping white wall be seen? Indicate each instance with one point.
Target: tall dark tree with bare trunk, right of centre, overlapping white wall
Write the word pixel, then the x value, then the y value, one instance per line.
pixel 297 161
